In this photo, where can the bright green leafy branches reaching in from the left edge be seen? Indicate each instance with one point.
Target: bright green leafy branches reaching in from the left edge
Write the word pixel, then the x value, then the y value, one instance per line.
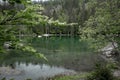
pixel 18 19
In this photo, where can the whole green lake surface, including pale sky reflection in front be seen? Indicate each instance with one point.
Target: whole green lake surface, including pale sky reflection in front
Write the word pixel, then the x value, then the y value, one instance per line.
pixel 65 55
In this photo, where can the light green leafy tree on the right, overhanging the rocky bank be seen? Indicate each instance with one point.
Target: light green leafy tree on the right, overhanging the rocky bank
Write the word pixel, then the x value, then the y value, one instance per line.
pixel 104 24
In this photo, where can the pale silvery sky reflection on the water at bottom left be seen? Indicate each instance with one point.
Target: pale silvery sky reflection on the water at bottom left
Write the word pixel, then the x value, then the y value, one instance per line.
pixel 35 72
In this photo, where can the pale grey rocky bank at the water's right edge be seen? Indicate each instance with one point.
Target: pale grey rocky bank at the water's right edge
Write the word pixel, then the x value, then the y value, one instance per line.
pixel 110 53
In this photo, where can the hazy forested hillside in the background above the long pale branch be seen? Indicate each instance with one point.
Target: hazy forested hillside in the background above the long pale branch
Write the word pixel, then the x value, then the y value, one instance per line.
pixel 77 11
